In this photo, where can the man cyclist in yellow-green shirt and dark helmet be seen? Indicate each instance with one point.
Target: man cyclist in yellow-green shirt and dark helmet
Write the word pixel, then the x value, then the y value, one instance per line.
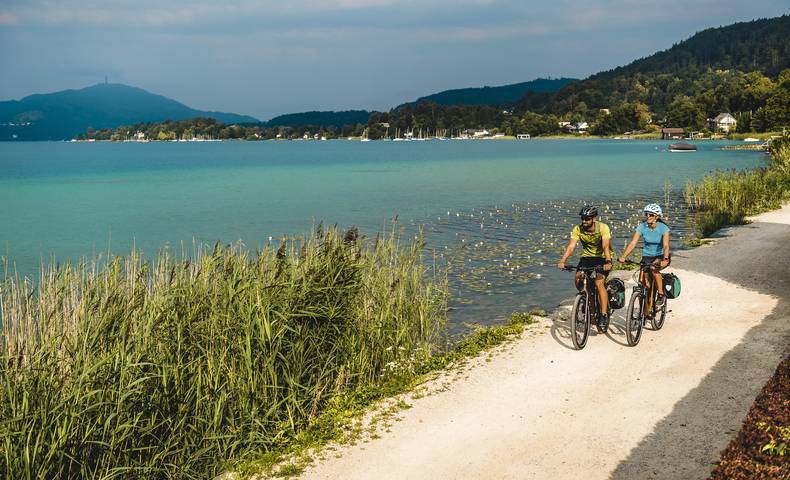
pixel 594 237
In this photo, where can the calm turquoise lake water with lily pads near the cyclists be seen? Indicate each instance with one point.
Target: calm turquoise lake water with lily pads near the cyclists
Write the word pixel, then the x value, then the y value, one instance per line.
pixel 498 211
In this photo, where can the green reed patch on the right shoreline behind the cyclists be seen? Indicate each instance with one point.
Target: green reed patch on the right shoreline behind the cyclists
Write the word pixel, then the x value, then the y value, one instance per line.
pixel 726 198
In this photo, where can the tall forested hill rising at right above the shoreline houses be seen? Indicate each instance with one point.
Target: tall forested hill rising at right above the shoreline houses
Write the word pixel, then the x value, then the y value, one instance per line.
pixel 720 63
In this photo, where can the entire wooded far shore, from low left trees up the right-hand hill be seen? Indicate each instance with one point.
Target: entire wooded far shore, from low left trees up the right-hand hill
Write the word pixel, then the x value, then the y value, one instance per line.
pixel 742 69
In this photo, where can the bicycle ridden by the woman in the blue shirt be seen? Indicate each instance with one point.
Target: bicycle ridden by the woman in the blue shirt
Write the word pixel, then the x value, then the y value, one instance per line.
pixel 642 305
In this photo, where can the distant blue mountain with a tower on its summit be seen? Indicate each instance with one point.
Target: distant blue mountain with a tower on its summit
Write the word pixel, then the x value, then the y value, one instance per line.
pixel 63 115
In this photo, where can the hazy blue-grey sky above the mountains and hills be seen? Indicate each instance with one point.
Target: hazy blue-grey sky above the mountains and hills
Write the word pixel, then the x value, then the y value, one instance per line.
pixel 265 58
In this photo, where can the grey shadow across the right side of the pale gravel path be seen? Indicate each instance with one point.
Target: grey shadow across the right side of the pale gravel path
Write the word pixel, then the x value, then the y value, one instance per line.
pixel 687 443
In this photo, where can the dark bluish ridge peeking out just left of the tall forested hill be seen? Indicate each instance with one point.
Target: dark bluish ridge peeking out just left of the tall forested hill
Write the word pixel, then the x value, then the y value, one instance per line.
pixel 496 95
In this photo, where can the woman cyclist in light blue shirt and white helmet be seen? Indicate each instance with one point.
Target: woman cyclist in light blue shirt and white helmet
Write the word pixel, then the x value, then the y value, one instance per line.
pixel 656 245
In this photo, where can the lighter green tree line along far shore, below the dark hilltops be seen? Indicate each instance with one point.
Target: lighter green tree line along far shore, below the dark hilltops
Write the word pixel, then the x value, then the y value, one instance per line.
pixel 638 104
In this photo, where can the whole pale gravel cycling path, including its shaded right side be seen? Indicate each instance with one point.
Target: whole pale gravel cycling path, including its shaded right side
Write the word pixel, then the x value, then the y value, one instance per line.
pixel 664 409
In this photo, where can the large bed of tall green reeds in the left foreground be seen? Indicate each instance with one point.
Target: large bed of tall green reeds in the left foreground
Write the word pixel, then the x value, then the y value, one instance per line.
pixel 164 369
